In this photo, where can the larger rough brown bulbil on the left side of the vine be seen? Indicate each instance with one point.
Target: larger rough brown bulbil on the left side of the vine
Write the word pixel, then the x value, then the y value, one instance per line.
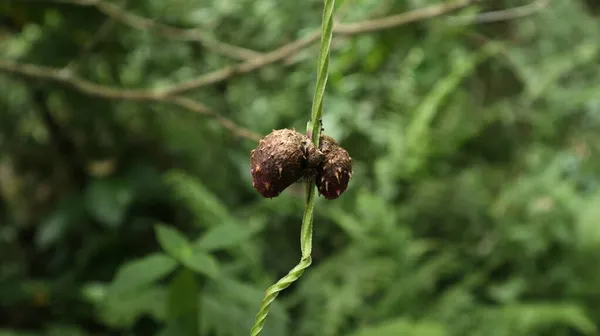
pixel 281 159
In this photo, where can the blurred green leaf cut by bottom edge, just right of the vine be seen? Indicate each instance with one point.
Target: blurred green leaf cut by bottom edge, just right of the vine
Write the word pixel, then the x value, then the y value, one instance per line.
pixel 403 327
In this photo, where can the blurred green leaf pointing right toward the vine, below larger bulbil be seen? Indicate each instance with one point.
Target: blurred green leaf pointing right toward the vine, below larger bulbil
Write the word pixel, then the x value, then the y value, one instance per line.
pixel 226 236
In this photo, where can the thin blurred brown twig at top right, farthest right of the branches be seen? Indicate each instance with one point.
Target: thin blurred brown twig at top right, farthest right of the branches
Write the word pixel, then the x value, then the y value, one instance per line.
pixel 504 14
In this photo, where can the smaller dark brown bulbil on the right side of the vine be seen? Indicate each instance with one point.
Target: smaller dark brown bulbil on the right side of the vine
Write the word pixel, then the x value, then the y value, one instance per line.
pixel 336 170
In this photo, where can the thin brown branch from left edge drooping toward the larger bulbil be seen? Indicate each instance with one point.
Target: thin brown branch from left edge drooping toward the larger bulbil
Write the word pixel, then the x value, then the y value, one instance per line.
pixel 92 89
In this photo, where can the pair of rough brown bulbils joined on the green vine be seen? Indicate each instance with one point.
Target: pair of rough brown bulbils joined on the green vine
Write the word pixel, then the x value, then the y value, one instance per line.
pixel 286 156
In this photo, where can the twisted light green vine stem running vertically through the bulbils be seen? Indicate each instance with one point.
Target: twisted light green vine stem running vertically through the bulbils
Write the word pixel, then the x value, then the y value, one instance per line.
pixel 313 131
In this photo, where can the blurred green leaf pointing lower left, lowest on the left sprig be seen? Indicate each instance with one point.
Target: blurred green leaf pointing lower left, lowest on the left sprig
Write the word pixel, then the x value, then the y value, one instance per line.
pixel 141 272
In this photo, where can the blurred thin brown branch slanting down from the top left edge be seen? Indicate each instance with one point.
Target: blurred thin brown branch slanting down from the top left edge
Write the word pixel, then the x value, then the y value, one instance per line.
pixel 141 23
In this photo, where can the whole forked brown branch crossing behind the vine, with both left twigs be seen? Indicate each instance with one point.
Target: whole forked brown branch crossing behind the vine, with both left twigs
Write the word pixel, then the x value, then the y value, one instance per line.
pixel 170 94
